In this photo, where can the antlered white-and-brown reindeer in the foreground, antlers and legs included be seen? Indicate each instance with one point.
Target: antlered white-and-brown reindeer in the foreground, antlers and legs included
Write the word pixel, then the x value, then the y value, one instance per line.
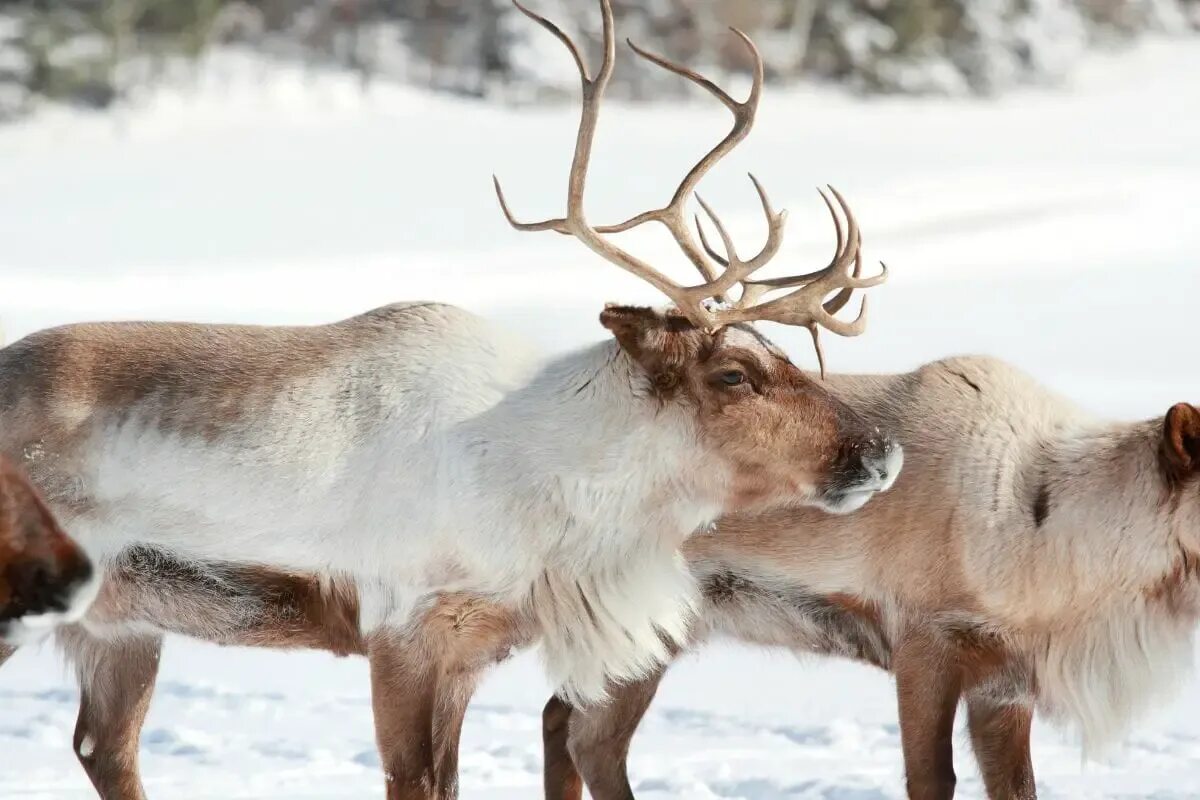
pixel 441 473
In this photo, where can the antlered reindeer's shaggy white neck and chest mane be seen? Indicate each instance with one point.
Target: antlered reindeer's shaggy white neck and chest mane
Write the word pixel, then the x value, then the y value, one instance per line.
pixel 605 482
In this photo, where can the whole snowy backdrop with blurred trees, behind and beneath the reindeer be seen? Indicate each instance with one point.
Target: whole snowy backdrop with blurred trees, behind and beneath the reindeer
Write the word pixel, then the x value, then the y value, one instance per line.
pixel 1028 170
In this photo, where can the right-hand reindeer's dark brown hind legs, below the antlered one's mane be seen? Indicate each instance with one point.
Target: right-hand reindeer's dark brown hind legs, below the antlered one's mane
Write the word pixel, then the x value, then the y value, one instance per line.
pixel 598 739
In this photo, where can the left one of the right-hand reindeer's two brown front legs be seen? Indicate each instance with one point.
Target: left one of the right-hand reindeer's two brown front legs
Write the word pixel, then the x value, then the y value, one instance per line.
pixel 929 683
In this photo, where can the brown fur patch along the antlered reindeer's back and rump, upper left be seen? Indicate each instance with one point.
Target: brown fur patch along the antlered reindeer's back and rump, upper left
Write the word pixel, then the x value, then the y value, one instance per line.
pixel 189 380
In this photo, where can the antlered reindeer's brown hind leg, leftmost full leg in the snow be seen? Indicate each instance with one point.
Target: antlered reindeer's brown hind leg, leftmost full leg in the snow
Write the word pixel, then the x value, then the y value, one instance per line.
pixel 117 681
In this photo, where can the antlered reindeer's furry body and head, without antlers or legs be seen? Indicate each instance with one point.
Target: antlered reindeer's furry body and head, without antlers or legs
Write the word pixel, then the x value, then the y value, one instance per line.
pixel 416 450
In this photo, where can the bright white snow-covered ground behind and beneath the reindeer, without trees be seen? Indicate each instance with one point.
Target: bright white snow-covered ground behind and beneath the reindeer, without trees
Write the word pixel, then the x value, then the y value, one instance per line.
pixel 1053 228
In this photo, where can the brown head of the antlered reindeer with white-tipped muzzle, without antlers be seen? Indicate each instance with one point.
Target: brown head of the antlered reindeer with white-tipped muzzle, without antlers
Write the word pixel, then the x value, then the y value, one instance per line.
pixel 785 438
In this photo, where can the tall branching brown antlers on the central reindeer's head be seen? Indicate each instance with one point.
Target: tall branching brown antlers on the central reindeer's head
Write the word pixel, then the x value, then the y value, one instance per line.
pixel 805 304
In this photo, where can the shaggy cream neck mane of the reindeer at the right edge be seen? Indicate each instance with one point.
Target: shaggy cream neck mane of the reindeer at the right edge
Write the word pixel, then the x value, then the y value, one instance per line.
pixel 1125 641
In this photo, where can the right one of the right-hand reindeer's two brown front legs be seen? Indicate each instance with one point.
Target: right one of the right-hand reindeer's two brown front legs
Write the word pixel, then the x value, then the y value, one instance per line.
pixel 1000 735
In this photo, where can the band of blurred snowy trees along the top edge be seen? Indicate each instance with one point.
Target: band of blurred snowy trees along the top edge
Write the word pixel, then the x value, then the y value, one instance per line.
pixel 95 53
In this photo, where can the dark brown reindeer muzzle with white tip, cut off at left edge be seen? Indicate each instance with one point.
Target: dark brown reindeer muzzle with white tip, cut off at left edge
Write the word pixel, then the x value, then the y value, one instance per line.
pixel 45 578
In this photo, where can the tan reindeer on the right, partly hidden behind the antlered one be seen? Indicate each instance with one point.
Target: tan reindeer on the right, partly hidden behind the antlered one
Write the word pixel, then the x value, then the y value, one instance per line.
pixel 1029 558
